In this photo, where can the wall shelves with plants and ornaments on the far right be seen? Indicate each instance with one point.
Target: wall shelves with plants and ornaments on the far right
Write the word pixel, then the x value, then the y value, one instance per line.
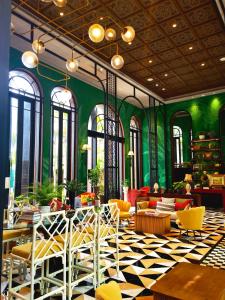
pixel 207 155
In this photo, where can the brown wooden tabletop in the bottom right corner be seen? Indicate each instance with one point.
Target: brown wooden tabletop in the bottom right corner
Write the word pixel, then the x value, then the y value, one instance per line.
pixel 190 281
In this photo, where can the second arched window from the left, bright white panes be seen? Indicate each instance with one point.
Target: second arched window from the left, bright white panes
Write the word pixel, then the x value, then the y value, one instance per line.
pixel 63 135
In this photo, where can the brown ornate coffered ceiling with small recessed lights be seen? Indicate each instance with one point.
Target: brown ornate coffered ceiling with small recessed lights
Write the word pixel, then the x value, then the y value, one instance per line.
pixel 178 44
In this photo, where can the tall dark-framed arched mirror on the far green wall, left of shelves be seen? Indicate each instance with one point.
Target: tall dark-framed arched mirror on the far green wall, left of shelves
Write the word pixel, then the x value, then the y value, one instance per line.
pixel 181 136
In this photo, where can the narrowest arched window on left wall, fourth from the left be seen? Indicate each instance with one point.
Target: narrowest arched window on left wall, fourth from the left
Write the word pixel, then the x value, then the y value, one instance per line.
pixel 135 157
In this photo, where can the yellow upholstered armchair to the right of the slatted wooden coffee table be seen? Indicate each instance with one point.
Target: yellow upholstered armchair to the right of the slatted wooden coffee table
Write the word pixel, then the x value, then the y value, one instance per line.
pixel 191 219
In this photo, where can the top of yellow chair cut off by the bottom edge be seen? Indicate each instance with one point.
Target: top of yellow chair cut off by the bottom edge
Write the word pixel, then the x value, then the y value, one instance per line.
pixel 108 291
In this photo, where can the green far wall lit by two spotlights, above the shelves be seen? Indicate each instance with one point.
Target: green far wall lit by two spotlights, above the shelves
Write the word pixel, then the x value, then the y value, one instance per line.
pixel 204 112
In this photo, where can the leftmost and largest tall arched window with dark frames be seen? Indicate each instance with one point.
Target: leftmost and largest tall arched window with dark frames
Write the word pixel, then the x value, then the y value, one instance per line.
pixel 25 131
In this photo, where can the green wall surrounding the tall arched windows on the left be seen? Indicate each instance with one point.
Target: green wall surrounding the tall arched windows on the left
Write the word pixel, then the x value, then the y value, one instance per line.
pixel 86 97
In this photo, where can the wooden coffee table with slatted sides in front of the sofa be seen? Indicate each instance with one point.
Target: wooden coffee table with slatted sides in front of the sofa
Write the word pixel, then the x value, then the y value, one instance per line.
pixel 152 223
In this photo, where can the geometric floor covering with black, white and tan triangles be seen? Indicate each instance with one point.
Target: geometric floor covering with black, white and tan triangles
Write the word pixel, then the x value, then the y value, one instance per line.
pixel 145 257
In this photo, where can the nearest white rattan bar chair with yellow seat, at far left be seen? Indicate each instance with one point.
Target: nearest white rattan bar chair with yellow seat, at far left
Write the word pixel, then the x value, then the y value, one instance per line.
pixel 44 247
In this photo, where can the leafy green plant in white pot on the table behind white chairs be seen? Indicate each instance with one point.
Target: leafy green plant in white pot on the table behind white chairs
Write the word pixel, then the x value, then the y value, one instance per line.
pixel 44 193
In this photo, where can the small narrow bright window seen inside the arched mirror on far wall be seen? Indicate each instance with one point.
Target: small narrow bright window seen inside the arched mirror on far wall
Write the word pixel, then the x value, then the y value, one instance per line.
pixel 178 146
